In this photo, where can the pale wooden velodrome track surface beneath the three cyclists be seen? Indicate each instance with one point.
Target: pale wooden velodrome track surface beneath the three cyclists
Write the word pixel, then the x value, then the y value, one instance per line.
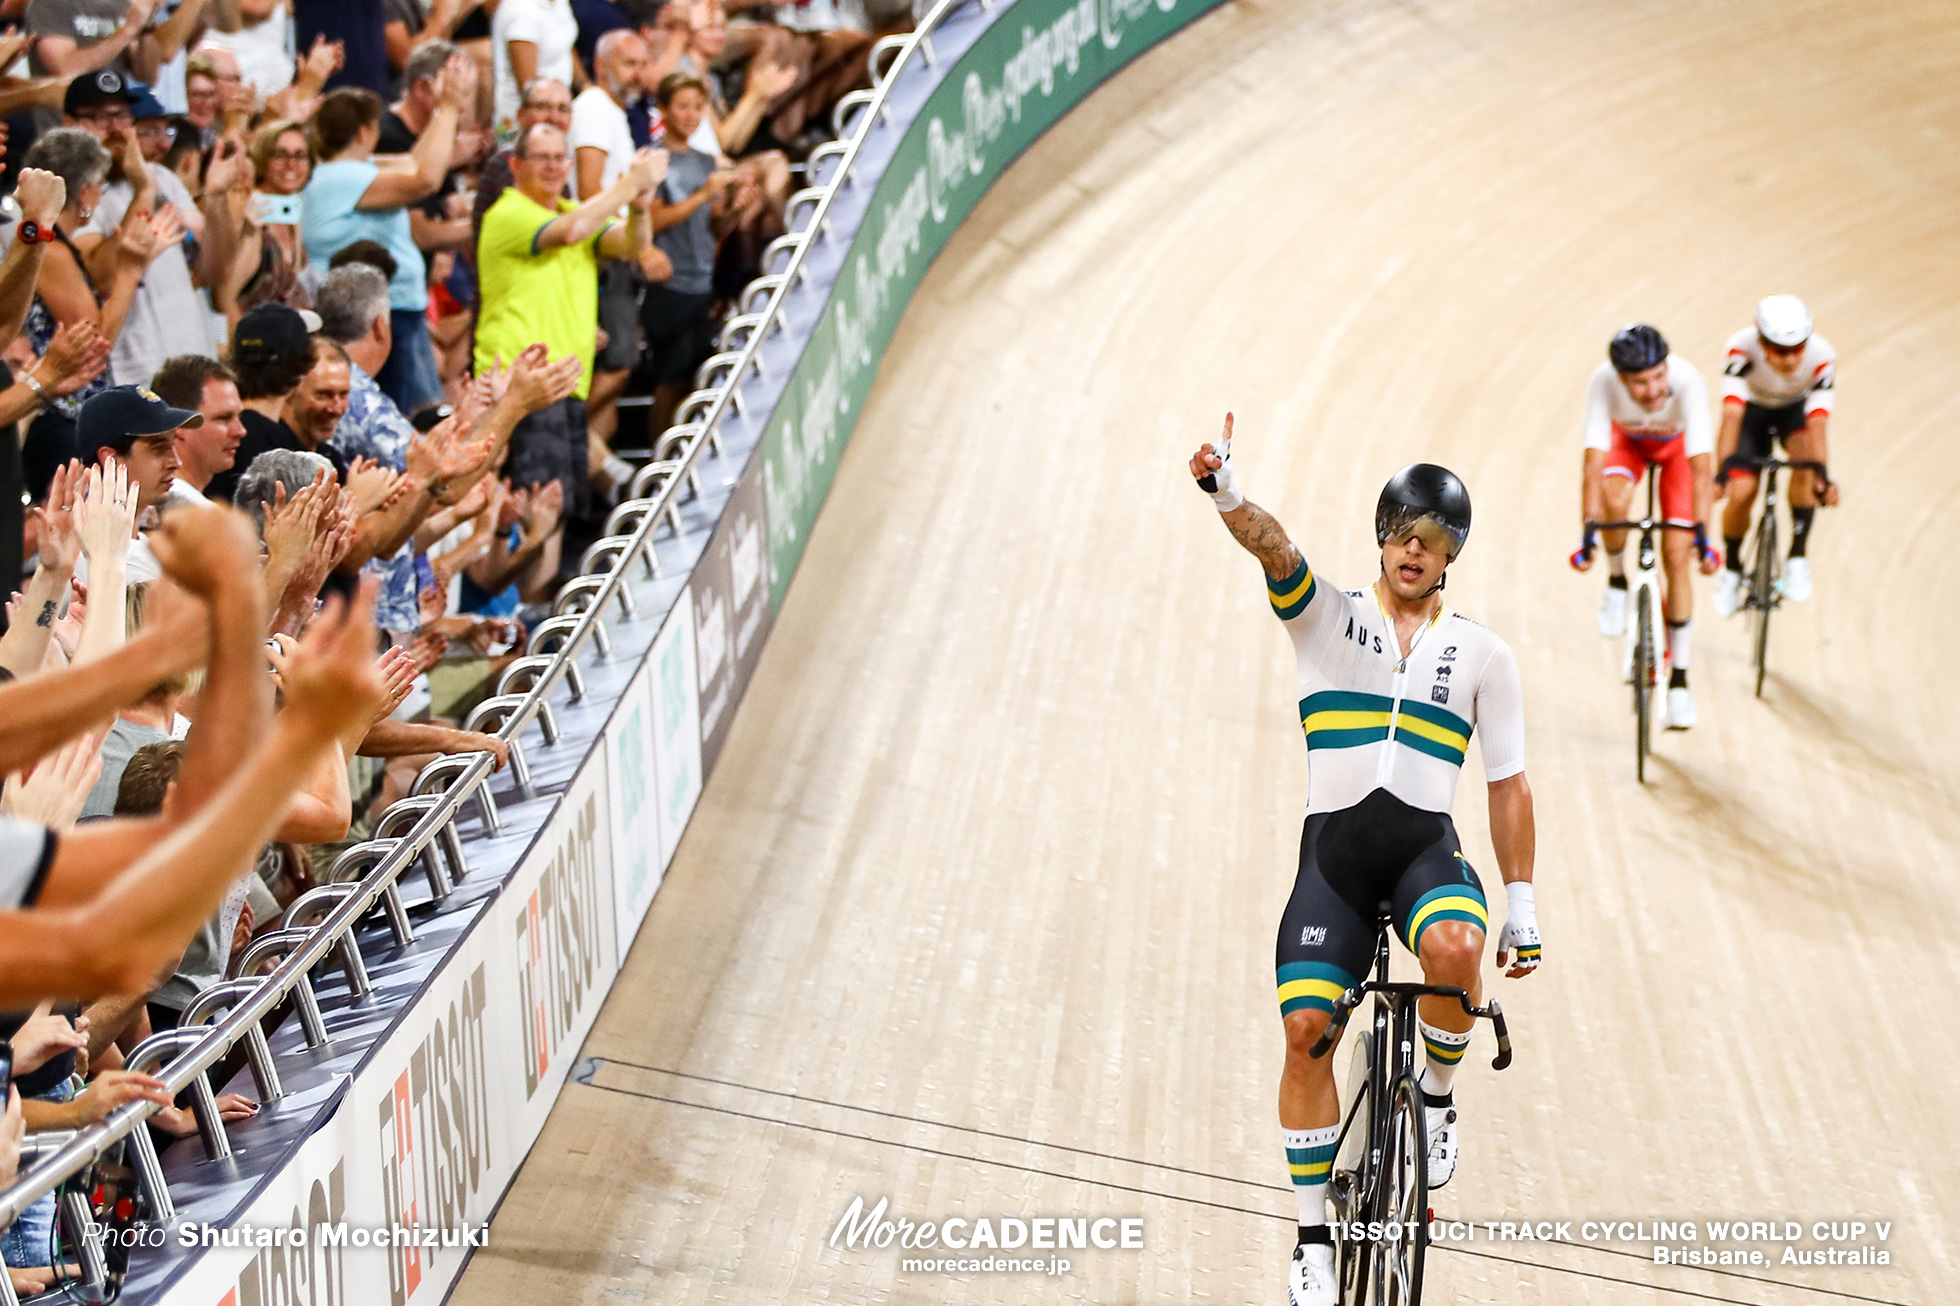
pixel 979 907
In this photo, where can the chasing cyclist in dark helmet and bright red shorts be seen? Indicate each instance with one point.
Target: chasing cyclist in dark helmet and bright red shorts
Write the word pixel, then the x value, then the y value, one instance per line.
pixel 1649 407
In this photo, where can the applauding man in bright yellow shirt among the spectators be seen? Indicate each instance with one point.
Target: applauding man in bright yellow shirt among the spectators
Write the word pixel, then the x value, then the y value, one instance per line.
pixel 538 264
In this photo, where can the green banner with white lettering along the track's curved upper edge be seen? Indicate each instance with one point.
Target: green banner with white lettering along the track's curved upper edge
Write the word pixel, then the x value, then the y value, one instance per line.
pixel 1032 66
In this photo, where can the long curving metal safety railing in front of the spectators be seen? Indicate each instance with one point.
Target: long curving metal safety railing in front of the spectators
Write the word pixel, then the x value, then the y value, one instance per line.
pixel 422 829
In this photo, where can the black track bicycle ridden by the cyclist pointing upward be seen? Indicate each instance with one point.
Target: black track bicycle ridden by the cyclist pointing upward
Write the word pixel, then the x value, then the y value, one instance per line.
pixel 1381 1172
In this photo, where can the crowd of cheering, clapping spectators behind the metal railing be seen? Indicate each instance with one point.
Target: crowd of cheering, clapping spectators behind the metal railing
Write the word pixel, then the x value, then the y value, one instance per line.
pixel 318 319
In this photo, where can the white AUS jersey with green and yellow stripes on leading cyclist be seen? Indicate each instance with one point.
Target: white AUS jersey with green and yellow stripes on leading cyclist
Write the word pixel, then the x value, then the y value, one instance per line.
pixel 1381 721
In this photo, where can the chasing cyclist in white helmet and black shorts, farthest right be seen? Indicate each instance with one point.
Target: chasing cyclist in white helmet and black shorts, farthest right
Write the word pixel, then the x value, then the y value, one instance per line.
pixel 1779 385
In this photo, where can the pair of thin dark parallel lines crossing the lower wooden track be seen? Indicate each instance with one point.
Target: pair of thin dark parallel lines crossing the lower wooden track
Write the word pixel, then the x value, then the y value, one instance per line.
pixel 1167 1197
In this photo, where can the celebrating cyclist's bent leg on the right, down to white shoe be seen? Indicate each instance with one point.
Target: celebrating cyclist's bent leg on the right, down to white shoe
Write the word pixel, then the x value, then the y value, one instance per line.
pixel 1442 917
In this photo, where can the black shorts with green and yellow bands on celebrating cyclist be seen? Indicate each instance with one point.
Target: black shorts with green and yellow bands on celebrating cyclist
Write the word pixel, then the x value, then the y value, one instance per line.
pixel 1351 864
